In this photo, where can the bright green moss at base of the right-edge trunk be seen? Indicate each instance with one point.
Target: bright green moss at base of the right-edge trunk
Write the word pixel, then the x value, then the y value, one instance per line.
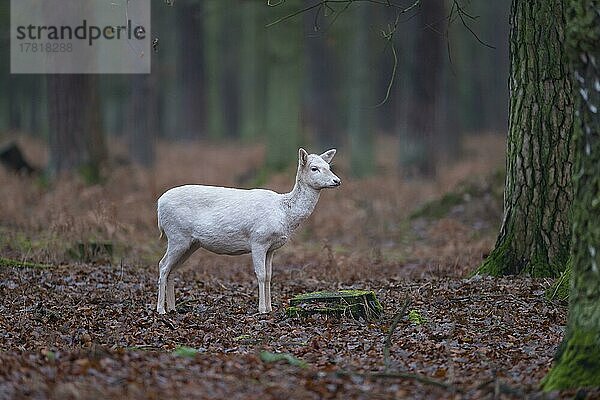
pixel 578 363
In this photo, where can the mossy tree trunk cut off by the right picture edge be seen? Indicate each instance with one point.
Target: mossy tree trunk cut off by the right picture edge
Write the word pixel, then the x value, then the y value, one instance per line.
pixel 578 358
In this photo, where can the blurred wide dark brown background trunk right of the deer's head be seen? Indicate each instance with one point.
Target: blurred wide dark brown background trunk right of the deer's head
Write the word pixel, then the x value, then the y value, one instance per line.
pixel 418 151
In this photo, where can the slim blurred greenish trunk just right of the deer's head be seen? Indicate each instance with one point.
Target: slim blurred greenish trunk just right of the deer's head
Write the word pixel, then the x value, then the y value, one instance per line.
pixel 360 98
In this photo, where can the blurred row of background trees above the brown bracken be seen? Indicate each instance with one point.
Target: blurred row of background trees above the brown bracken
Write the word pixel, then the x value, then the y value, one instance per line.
pixel 314 81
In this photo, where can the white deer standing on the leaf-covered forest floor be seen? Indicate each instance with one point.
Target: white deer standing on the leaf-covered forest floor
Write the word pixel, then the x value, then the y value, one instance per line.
pixel 238 221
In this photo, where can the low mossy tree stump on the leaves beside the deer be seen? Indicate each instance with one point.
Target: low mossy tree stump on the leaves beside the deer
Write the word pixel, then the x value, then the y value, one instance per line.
pixel 344 303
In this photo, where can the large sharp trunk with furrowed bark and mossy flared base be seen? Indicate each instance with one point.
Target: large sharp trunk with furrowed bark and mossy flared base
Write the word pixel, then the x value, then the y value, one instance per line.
pixel 535 235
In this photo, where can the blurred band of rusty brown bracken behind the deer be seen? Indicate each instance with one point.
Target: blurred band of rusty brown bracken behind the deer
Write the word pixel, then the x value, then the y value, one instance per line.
pixel 362 225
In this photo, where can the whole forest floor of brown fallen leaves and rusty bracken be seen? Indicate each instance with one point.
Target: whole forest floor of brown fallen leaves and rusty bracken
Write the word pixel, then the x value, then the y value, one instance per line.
pixel 81 327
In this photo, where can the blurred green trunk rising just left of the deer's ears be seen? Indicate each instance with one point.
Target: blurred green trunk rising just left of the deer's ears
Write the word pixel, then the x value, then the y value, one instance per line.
pixel 284 55
